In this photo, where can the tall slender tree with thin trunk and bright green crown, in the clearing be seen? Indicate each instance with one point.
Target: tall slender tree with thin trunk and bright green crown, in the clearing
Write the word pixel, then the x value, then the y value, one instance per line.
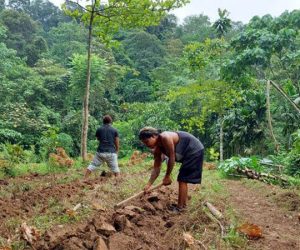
pixel 104 19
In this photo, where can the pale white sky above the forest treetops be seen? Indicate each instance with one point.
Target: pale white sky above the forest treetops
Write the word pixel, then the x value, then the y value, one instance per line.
pixel 240 10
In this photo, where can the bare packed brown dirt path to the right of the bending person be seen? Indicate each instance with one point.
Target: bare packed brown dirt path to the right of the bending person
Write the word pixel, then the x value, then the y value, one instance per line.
pixel 280 226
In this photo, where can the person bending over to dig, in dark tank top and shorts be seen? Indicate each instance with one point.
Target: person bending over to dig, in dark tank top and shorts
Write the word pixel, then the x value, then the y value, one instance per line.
pixel 180 147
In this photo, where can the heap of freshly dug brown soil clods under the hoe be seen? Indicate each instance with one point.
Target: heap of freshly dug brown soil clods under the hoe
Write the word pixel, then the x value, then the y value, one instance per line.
pixel 146 224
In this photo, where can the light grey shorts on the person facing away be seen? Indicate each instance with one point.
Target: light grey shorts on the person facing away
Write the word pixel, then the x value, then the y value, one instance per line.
pixel 110 158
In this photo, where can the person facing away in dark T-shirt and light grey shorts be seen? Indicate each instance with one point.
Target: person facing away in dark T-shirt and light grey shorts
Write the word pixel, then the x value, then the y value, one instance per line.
pixel 108 148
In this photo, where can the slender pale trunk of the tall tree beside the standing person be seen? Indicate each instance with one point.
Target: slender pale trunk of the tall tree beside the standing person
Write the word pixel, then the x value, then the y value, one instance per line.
pixel 85 111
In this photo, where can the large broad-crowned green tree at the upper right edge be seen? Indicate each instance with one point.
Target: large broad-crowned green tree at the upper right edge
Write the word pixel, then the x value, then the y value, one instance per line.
pixel 268 49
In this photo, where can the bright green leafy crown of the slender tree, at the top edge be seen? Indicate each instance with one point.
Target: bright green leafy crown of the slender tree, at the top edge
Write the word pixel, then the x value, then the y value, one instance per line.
pixel 109 16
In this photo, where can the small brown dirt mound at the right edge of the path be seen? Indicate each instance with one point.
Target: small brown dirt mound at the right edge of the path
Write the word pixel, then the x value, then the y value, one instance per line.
pixel 288 200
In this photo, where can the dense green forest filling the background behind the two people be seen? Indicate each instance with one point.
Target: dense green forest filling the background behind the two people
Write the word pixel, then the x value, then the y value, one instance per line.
pixel 202 77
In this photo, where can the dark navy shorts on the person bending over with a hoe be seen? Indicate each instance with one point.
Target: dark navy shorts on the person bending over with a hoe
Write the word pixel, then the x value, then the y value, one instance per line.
pixel 191 168
